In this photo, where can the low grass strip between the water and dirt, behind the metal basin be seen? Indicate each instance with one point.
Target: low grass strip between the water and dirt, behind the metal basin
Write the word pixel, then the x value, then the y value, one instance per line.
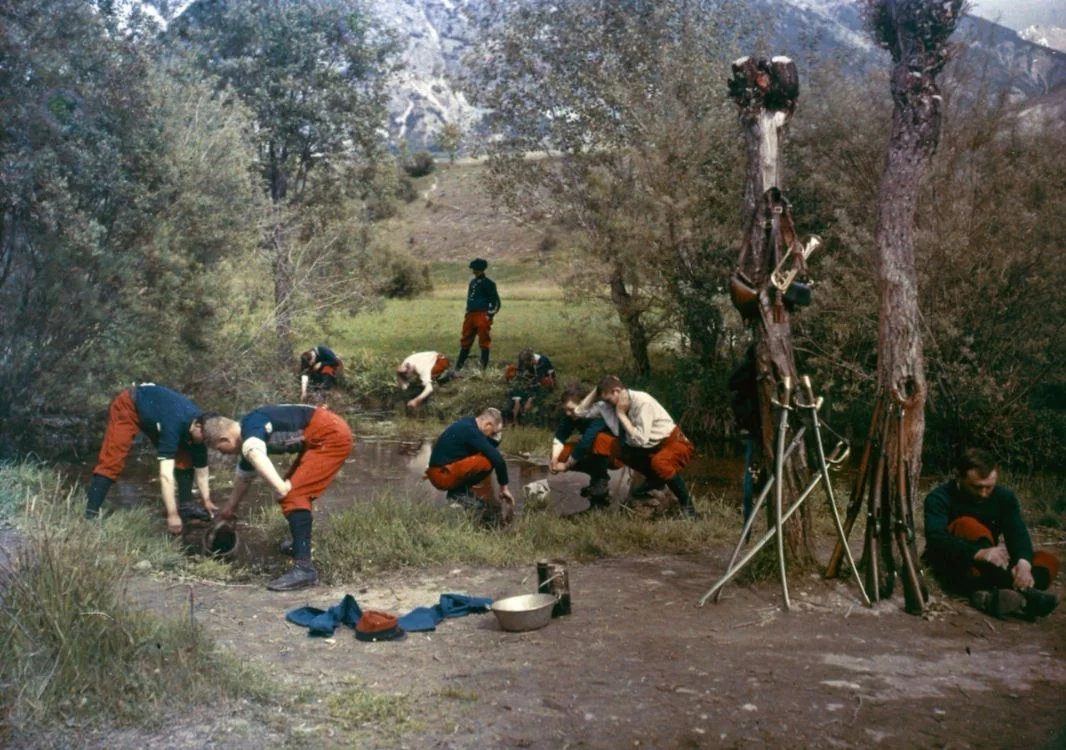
pixel 391 533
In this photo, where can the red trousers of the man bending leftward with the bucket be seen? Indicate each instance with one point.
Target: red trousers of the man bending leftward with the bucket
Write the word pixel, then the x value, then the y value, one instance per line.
pixel 328 443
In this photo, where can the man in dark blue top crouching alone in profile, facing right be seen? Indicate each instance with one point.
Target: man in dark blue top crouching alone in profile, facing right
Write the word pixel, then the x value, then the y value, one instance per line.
pixel 465 456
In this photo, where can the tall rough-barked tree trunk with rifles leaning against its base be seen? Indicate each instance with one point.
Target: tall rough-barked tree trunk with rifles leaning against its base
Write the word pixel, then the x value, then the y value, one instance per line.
pixel 916 35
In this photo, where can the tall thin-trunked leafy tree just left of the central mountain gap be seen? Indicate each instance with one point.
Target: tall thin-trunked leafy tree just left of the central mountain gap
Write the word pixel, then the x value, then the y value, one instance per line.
pixel 314 76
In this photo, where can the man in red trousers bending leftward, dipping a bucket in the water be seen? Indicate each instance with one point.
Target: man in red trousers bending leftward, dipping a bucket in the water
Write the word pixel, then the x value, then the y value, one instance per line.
pixel 322 442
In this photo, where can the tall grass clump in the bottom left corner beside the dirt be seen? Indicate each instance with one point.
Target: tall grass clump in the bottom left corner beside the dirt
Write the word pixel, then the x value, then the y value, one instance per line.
pixel 73 648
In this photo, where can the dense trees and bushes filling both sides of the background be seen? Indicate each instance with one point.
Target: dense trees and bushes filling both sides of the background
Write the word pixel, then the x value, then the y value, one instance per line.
pixel 189 206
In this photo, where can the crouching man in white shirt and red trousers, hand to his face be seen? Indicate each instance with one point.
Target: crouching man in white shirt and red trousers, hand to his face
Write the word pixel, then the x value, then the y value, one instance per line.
pixel 654 445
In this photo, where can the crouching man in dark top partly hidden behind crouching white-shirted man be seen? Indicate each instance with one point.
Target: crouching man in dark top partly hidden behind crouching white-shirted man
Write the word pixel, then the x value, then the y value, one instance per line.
pixel 597 450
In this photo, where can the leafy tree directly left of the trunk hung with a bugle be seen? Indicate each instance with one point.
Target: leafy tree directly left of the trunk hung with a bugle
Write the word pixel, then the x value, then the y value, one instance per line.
pixel 642 158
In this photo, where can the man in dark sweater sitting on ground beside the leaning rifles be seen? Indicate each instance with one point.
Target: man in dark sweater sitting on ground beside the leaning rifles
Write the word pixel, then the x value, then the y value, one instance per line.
pixel 965 519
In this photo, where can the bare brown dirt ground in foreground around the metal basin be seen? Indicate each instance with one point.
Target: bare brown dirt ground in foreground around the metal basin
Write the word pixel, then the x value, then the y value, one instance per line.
pixel 638 664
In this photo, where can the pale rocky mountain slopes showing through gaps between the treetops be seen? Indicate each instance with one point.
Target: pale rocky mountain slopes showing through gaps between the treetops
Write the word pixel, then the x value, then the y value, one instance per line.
pixel 440 34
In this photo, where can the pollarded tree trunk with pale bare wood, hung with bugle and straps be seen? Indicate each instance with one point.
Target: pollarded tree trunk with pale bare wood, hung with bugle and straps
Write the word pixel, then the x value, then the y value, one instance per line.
pixel 766 92
